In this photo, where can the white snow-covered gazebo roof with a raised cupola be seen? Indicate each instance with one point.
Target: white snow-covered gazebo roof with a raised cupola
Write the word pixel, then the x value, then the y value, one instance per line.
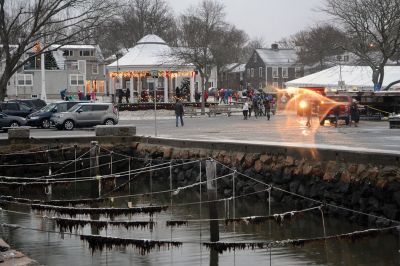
pixel 150 52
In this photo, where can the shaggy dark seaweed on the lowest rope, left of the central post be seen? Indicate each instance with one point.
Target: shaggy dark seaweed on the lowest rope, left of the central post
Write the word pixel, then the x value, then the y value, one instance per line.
pixel 143 246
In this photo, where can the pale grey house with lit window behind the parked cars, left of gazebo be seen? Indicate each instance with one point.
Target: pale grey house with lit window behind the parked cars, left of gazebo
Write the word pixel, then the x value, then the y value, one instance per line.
pixel 72 67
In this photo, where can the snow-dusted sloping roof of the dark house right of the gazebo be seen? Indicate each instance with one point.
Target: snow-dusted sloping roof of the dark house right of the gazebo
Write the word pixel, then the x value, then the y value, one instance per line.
pixel 278 56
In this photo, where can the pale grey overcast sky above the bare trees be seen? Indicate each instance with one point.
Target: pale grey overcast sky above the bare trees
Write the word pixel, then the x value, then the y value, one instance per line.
pixel 271 20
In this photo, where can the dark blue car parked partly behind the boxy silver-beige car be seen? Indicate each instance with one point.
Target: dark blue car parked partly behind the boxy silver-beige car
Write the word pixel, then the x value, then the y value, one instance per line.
pixel 42 117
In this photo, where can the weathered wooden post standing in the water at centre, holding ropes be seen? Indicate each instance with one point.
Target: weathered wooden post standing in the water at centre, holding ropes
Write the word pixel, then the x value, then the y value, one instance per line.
pixel 211 169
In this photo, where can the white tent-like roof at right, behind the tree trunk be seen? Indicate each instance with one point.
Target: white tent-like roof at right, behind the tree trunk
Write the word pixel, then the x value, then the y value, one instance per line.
pixel 352 76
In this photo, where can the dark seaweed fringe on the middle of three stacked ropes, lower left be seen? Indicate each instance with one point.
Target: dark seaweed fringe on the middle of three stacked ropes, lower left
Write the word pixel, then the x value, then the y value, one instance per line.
pixel 70 224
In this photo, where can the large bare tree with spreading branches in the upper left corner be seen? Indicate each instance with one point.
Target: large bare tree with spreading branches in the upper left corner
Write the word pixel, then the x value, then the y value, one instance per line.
pixel 26 23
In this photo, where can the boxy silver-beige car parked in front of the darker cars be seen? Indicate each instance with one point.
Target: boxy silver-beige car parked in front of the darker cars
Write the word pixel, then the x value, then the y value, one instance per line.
pixel 86 114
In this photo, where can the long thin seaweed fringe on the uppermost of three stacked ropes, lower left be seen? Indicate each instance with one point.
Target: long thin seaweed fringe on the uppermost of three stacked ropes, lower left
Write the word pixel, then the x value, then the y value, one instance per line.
pixel 110 212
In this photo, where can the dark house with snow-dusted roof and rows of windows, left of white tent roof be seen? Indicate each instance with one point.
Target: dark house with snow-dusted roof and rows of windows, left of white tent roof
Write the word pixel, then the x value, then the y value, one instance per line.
pixel 272 67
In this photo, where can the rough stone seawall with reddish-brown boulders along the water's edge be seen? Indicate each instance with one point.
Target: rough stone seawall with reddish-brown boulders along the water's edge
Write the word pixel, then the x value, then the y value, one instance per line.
pixel 366 182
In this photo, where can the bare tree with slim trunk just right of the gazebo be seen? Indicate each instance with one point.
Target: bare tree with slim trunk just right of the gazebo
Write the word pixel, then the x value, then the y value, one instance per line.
pixel 200 28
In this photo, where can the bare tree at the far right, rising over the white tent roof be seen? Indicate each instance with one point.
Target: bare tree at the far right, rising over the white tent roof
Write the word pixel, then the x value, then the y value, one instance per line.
pixel 373 28
